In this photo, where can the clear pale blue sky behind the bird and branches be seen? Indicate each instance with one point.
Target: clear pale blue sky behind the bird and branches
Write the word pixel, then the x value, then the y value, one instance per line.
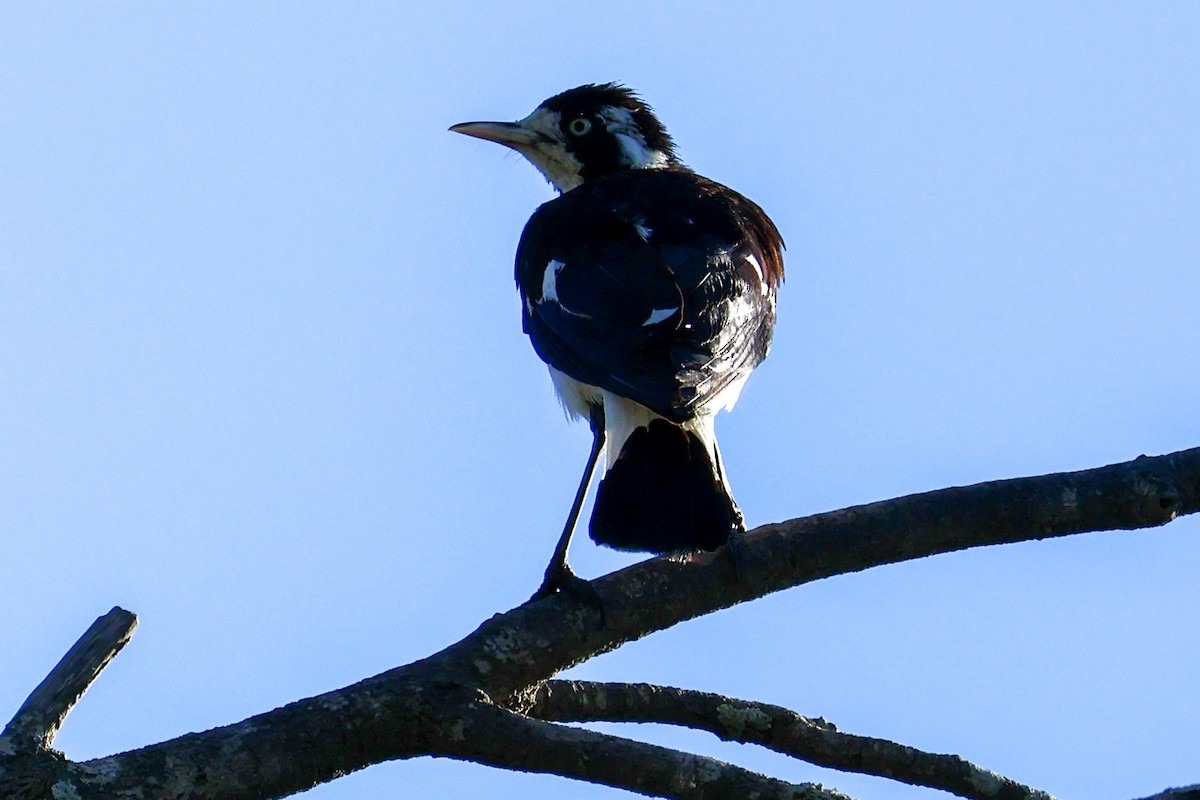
pixel 263 381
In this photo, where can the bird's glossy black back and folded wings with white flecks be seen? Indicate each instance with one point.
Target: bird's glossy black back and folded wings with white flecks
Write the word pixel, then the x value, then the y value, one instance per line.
pixel 658 286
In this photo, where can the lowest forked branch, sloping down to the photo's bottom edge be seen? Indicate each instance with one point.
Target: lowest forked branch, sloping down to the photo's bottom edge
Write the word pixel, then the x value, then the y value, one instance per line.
pixel 500 738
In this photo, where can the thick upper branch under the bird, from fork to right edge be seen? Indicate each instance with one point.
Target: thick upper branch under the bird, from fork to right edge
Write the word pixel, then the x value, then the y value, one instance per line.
pixel 535 642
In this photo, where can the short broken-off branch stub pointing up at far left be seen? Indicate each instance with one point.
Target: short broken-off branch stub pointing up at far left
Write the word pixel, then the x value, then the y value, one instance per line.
pixel 40 719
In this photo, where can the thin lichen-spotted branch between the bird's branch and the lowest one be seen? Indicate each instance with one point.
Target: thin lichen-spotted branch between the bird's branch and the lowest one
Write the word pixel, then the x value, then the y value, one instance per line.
pixel 775 727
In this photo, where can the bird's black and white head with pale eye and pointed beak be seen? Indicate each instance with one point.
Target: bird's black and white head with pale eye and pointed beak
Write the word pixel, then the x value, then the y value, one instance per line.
pixel 584 134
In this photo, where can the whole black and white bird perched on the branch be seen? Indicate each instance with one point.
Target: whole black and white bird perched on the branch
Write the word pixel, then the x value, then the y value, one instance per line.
pixel 650 292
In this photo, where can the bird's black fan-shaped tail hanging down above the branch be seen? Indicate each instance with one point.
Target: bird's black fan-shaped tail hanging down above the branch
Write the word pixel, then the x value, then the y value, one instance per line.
pixel 664 495
